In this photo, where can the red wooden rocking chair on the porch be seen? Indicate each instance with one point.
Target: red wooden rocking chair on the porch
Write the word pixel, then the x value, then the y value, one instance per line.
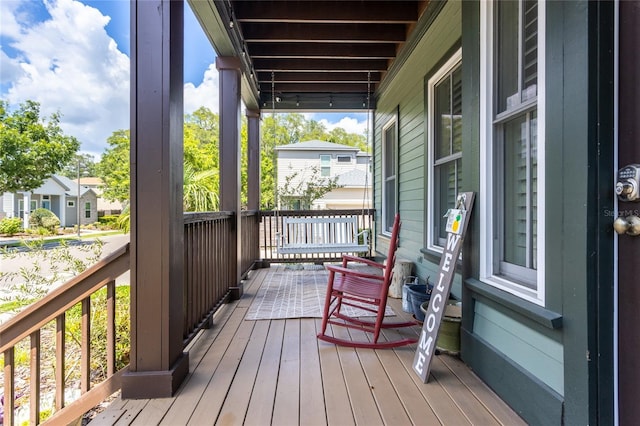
pixel 347 286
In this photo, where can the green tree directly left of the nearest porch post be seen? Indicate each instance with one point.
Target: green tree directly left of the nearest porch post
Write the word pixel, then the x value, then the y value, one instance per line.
pixel 113 167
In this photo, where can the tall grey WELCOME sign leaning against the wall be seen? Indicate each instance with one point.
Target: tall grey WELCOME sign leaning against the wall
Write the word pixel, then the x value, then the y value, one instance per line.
pixel 457 221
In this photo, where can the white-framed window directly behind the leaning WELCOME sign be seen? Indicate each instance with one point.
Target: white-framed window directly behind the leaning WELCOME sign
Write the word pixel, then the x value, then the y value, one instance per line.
pixel 444 97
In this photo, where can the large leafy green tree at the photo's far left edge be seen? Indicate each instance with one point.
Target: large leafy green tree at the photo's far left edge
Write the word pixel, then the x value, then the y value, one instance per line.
pixel 31 150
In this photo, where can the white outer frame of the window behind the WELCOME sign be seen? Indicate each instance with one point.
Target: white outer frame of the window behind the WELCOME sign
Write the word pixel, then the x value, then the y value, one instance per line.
pixel 454 61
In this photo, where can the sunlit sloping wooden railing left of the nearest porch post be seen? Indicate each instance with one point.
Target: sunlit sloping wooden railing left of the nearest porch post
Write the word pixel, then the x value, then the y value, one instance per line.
pixel 36 323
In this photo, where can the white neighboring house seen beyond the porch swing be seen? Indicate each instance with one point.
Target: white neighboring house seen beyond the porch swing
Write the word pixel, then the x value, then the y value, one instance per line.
pixel 320 159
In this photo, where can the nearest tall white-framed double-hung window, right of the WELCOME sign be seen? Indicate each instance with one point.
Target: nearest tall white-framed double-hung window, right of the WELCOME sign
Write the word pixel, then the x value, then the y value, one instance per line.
pixel 512 146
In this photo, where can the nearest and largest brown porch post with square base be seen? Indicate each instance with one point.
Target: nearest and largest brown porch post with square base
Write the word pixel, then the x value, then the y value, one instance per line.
pixel 158 364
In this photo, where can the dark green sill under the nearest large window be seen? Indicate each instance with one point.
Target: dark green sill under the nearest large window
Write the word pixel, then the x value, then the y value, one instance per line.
pixel 538 314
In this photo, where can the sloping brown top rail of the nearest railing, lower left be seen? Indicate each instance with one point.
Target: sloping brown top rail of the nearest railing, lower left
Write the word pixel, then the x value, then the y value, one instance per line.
pixel 62 298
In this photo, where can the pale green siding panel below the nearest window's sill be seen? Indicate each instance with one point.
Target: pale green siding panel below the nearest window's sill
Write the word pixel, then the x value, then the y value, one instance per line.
pixel 538 354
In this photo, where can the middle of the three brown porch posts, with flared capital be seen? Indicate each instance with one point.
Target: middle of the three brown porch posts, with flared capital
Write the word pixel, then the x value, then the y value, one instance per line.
pixel 229 77
